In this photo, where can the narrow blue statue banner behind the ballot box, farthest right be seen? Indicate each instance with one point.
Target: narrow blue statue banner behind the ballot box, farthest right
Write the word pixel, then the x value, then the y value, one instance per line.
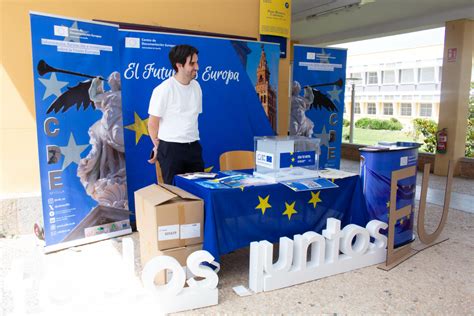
pixel 317 101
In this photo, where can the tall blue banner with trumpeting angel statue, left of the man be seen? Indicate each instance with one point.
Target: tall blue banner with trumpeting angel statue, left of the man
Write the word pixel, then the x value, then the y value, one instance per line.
pixel 80 134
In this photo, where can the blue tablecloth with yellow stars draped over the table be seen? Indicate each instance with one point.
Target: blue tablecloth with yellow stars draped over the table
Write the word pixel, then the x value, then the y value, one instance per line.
pixel 234 217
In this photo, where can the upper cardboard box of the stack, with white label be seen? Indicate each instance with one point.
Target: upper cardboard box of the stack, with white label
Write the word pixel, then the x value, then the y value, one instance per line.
pixel 167 217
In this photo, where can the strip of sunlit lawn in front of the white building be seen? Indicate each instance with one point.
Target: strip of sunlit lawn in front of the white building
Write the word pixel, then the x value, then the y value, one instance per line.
pixel 372 136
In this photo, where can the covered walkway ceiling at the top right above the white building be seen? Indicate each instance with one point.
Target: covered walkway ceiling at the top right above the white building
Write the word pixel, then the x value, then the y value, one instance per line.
pixel 324 22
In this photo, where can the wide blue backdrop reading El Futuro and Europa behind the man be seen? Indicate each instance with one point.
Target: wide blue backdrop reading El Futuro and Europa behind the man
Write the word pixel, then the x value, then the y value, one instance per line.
pixel 239 81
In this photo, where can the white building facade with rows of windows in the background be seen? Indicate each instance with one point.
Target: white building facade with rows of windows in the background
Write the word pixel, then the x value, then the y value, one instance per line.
pixel 403 83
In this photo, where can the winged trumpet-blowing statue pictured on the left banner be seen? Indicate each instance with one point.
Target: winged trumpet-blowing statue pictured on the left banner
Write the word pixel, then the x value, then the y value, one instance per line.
pixel 102 171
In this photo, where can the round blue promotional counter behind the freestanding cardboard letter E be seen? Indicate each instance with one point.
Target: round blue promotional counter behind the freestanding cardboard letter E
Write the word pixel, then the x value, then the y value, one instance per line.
pixel 376 166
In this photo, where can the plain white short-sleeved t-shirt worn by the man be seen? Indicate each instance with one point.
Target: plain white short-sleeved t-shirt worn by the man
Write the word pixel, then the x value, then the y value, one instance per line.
pixel 178 107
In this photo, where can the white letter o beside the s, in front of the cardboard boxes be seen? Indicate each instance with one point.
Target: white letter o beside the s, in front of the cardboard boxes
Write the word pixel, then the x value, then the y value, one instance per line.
pixel 158 264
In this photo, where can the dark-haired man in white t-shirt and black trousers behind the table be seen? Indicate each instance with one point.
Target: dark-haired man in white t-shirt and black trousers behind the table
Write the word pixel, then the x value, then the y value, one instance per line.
pixel 173 123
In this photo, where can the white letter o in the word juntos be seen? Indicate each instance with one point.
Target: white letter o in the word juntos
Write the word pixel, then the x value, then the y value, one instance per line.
pixel 359 247
